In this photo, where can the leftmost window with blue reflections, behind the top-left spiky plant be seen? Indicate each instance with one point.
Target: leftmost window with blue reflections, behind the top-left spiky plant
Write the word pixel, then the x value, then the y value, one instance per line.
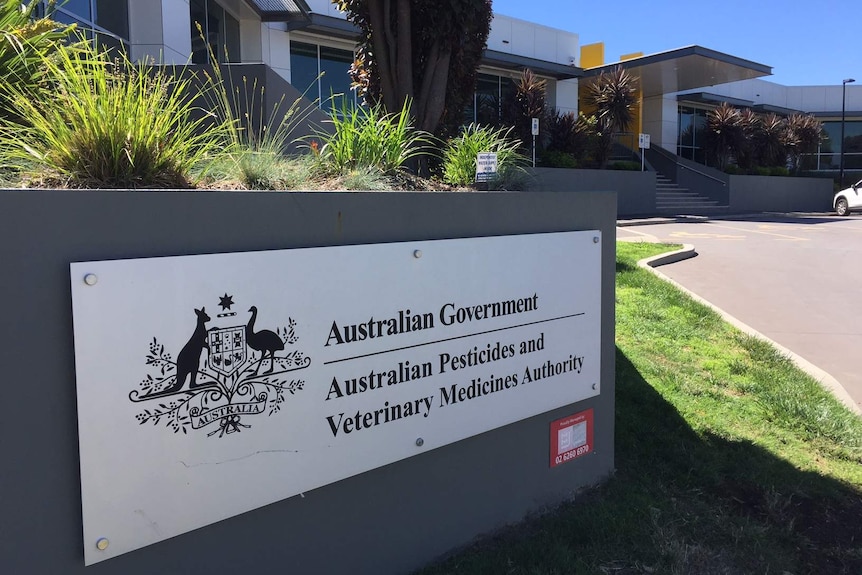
pixel 106 22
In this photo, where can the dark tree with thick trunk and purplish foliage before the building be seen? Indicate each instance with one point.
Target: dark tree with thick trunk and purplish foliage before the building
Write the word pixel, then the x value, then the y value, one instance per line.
pixel 426 51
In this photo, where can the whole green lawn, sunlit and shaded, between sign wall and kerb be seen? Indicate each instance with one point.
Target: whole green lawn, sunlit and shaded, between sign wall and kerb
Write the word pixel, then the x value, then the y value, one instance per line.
pixel 729 459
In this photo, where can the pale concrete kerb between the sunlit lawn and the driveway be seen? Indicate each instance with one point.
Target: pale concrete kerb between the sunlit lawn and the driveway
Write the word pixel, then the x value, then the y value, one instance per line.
pixel 826 380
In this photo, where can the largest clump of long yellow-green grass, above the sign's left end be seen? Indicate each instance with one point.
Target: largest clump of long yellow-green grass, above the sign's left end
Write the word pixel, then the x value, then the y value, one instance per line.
pixel 111 124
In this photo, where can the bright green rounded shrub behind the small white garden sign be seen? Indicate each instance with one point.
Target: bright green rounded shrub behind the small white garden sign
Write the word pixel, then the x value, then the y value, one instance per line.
pixel 459 157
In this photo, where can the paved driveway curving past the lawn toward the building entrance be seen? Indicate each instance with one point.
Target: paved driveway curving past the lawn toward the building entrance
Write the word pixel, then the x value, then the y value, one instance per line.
pixel 797 279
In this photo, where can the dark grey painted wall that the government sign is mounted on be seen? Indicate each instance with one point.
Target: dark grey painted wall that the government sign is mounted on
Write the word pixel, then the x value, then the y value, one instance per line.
pixel 389 520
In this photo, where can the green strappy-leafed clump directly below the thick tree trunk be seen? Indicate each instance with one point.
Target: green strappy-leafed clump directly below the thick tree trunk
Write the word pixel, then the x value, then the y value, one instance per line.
pixel 367 137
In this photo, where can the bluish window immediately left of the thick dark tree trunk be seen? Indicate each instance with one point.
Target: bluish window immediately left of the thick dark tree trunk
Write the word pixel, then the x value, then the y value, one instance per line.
pixel 308 61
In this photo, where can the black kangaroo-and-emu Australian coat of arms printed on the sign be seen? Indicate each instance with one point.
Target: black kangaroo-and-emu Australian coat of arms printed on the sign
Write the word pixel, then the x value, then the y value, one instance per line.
pixel 228 371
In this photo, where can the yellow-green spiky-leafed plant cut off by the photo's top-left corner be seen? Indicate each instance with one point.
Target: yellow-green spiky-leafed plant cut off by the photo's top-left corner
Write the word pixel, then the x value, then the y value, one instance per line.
pixel 25 40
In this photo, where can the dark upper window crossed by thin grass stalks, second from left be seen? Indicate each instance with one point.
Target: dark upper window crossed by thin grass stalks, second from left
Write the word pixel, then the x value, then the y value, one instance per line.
pixel 218 33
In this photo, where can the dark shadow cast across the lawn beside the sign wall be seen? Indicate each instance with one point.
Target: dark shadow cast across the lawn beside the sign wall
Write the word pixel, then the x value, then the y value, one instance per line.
pixel 682 502
